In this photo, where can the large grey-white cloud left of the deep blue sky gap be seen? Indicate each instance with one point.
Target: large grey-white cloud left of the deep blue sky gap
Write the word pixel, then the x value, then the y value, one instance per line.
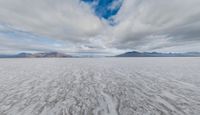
pixel 61 19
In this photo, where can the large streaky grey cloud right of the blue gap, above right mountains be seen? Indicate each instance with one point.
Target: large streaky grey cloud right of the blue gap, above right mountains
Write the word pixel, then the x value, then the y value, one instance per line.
pixel 155 24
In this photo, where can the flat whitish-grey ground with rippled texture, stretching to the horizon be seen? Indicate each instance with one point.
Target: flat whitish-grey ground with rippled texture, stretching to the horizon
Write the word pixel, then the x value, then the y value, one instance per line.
pixel 110 86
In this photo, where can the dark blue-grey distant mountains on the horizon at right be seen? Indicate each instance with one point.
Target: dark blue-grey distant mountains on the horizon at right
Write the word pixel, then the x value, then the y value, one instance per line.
pixel 157 54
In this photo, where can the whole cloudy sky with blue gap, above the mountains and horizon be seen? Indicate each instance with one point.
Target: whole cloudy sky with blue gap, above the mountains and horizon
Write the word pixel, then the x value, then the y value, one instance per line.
pixel 99 27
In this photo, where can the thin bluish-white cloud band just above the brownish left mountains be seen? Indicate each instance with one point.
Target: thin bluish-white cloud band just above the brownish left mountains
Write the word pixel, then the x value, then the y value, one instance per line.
pixel 12 41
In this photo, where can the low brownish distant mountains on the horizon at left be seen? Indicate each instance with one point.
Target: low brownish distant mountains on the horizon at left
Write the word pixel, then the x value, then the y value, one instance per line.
pixel 37 55
